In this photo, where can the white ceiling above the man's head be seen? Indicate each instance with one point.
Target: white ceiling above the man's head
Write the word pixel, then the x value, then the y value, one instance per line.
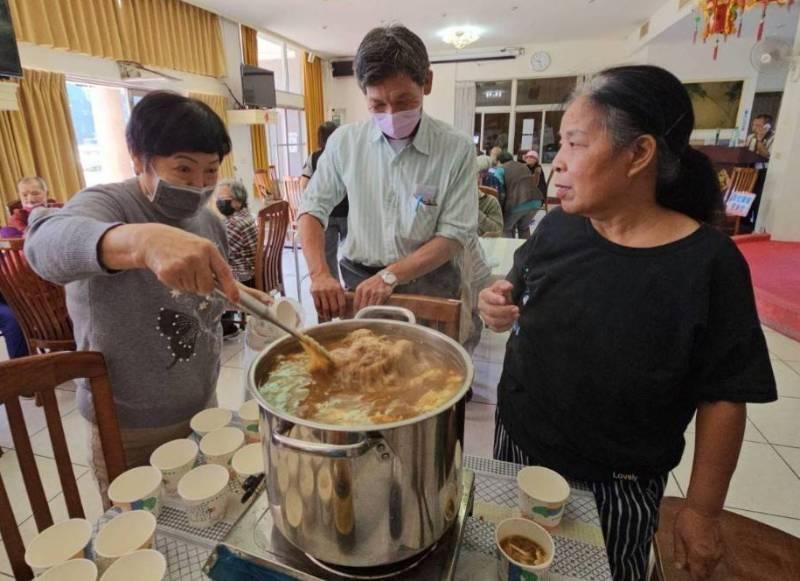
pixel 335 27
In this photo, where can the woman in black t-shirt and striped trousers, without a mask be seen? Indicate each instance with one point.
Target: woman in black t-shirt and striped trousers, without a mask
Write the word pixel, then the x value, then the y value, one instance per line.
pixel 629 313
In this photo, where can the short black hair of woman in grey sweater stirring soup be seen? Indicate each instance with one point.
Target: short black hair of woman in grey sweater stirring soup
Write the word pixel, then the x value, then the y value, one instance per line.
pixel 164 123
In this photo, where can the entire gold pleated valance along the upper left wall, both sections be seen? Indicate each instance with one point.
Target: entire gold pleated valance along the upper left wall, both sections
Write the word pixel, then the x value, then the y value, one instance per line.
pixel 161 33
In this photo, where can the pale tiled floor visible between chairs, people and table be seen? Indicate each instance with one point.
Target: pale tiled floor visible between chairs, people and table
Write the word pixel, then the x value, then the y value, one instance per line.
pixel 765 487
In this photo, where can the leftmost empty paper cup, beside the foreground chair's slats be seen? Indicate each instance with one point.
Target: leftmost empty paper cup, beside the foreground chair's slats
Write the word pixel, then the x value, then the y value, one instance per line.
pixel 59 543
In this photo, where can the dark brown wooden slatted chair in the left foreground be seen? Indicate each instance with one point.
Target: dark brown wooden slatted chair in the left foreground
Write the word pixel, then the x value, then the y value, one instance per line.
pixel 41 374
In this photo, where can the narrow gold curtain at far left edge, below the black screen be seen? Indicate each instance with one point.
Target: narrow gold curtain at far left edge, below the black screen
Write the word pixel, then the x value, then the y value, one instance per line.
pixel 16 158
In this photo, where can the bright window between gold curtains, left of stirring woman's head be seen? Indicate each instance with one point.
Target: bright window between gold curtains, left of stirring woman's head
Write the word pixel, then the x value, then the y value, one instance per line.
pixel 99 114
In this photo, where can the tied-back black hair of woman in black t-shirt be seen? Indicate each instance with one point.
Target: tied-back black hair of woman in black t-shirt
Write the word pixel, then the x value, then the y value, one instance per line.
pixel 648 100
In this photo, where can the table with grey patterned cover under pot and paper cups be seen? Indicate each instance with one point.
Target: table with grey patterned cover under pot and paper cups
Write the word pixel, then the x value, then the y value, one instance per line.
pixel 580 551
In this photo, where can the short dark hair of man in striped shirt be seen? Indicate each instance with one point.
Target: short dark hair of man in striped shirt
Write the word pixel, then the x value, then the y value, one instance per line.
pixel 387 51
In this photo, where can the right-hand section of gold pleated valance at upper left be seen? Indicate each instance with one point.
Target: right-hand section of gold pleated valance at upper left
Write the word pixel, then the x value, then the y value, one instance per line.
pixel 174 35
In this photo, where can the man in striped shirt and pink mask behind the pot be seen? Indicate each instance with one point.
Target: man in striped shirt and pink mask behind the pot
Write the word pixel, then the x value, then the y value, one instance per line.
pixel 410 181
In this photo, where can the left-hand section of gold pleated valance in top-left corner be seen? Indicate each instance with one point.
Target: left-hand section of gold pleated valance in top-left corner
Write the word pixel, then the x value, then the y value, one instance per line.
pixel 87 26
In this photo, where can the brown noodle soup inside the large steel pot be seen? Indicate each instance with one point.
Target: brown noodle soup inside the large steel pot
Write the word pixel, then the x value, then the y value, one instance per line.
pixel 376 380
